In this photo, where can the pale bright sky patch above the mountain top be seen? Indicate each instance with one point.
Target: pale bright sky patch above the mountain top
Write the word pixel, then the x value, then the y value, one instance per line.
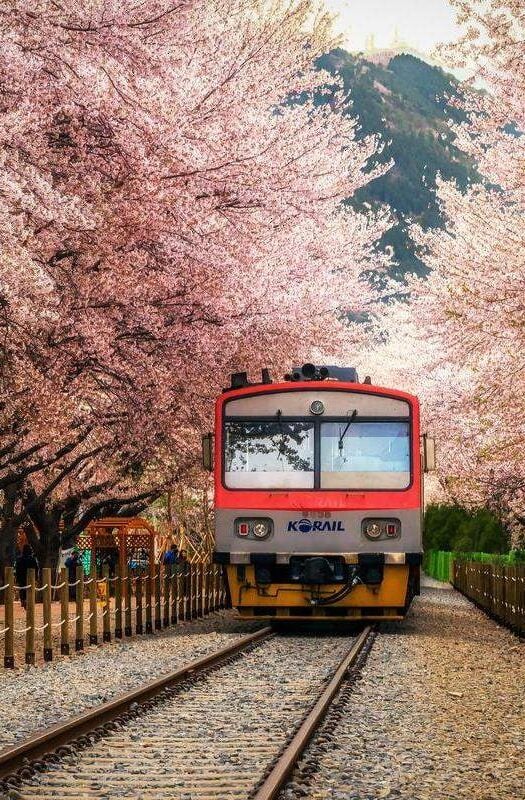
pixel 420 23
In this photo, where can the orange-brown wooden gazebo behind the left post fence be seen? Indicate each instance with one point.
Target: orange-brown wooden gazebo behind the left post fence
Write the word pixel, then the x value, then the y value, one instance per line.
pixel 121 541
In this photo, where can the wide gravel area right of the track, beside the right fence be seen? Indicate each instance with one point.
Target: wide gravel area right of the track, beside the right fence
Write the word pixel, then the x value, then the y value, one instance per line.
pixel 439 713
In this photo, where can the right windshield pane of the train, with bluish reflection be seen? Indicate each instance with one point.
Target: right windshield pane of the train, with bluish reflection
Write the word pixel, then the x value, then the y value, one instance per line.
pixel 365 455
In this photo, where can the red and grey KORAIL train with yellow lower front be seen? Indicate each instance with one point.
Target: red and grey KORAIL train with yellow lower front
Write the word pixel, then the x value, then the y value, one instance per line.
pixel 318 485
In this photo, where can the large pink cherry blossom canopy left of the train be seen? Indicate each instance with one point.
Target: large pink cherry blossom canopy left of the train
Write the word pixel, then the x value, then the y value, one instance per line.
pixel 171 210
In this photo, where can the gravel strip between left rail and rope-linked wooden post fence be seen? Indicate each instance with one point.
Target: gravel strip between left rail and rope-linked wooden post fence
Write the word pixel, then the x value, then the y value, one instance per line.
pixel 32 698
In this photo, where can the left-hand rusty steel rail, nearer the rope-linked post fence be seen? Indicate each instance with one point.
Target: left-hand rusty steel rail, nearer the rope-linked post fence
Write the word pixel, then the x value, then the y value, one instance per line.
pixel 47 741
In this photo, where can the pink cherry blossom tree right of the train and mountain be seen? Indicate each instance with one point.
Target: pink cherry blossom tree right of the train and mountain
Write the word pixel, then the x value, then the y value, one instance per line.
pixel 462 337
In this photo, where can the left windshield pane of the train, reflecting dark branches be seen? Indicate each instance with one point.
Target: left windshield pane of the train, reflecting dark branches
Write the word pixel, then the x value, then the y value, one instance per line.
pixel 269 455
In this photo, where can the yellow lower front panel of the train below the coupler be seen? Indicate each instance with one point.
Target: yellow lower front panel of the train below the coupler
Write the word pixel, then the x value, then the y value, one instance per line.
pixel 389 599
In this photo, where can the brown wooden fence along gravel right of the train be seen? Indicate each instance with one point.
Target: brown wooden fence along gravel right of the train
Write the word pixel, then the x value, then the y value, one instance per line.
pixel 499 590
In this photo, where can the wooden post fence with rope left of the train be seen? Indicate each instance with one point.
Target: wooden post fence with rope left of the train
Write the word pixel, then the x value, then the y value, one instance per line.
pixel 119 606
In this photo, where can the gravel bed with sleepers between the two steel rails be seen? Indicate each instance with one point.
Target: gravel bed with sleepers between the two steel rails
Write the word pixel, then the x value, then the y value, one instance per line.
pixel 211 740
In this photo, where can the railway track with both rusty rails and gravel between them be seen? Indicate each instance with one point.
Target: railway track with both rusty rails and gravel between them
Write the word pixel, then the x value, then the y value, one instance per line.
pixel 230 725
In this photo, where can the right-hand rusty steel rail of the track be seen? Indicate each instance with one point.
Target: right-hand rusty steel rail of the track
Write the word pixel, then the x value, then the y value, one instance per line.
pixel 282 769
